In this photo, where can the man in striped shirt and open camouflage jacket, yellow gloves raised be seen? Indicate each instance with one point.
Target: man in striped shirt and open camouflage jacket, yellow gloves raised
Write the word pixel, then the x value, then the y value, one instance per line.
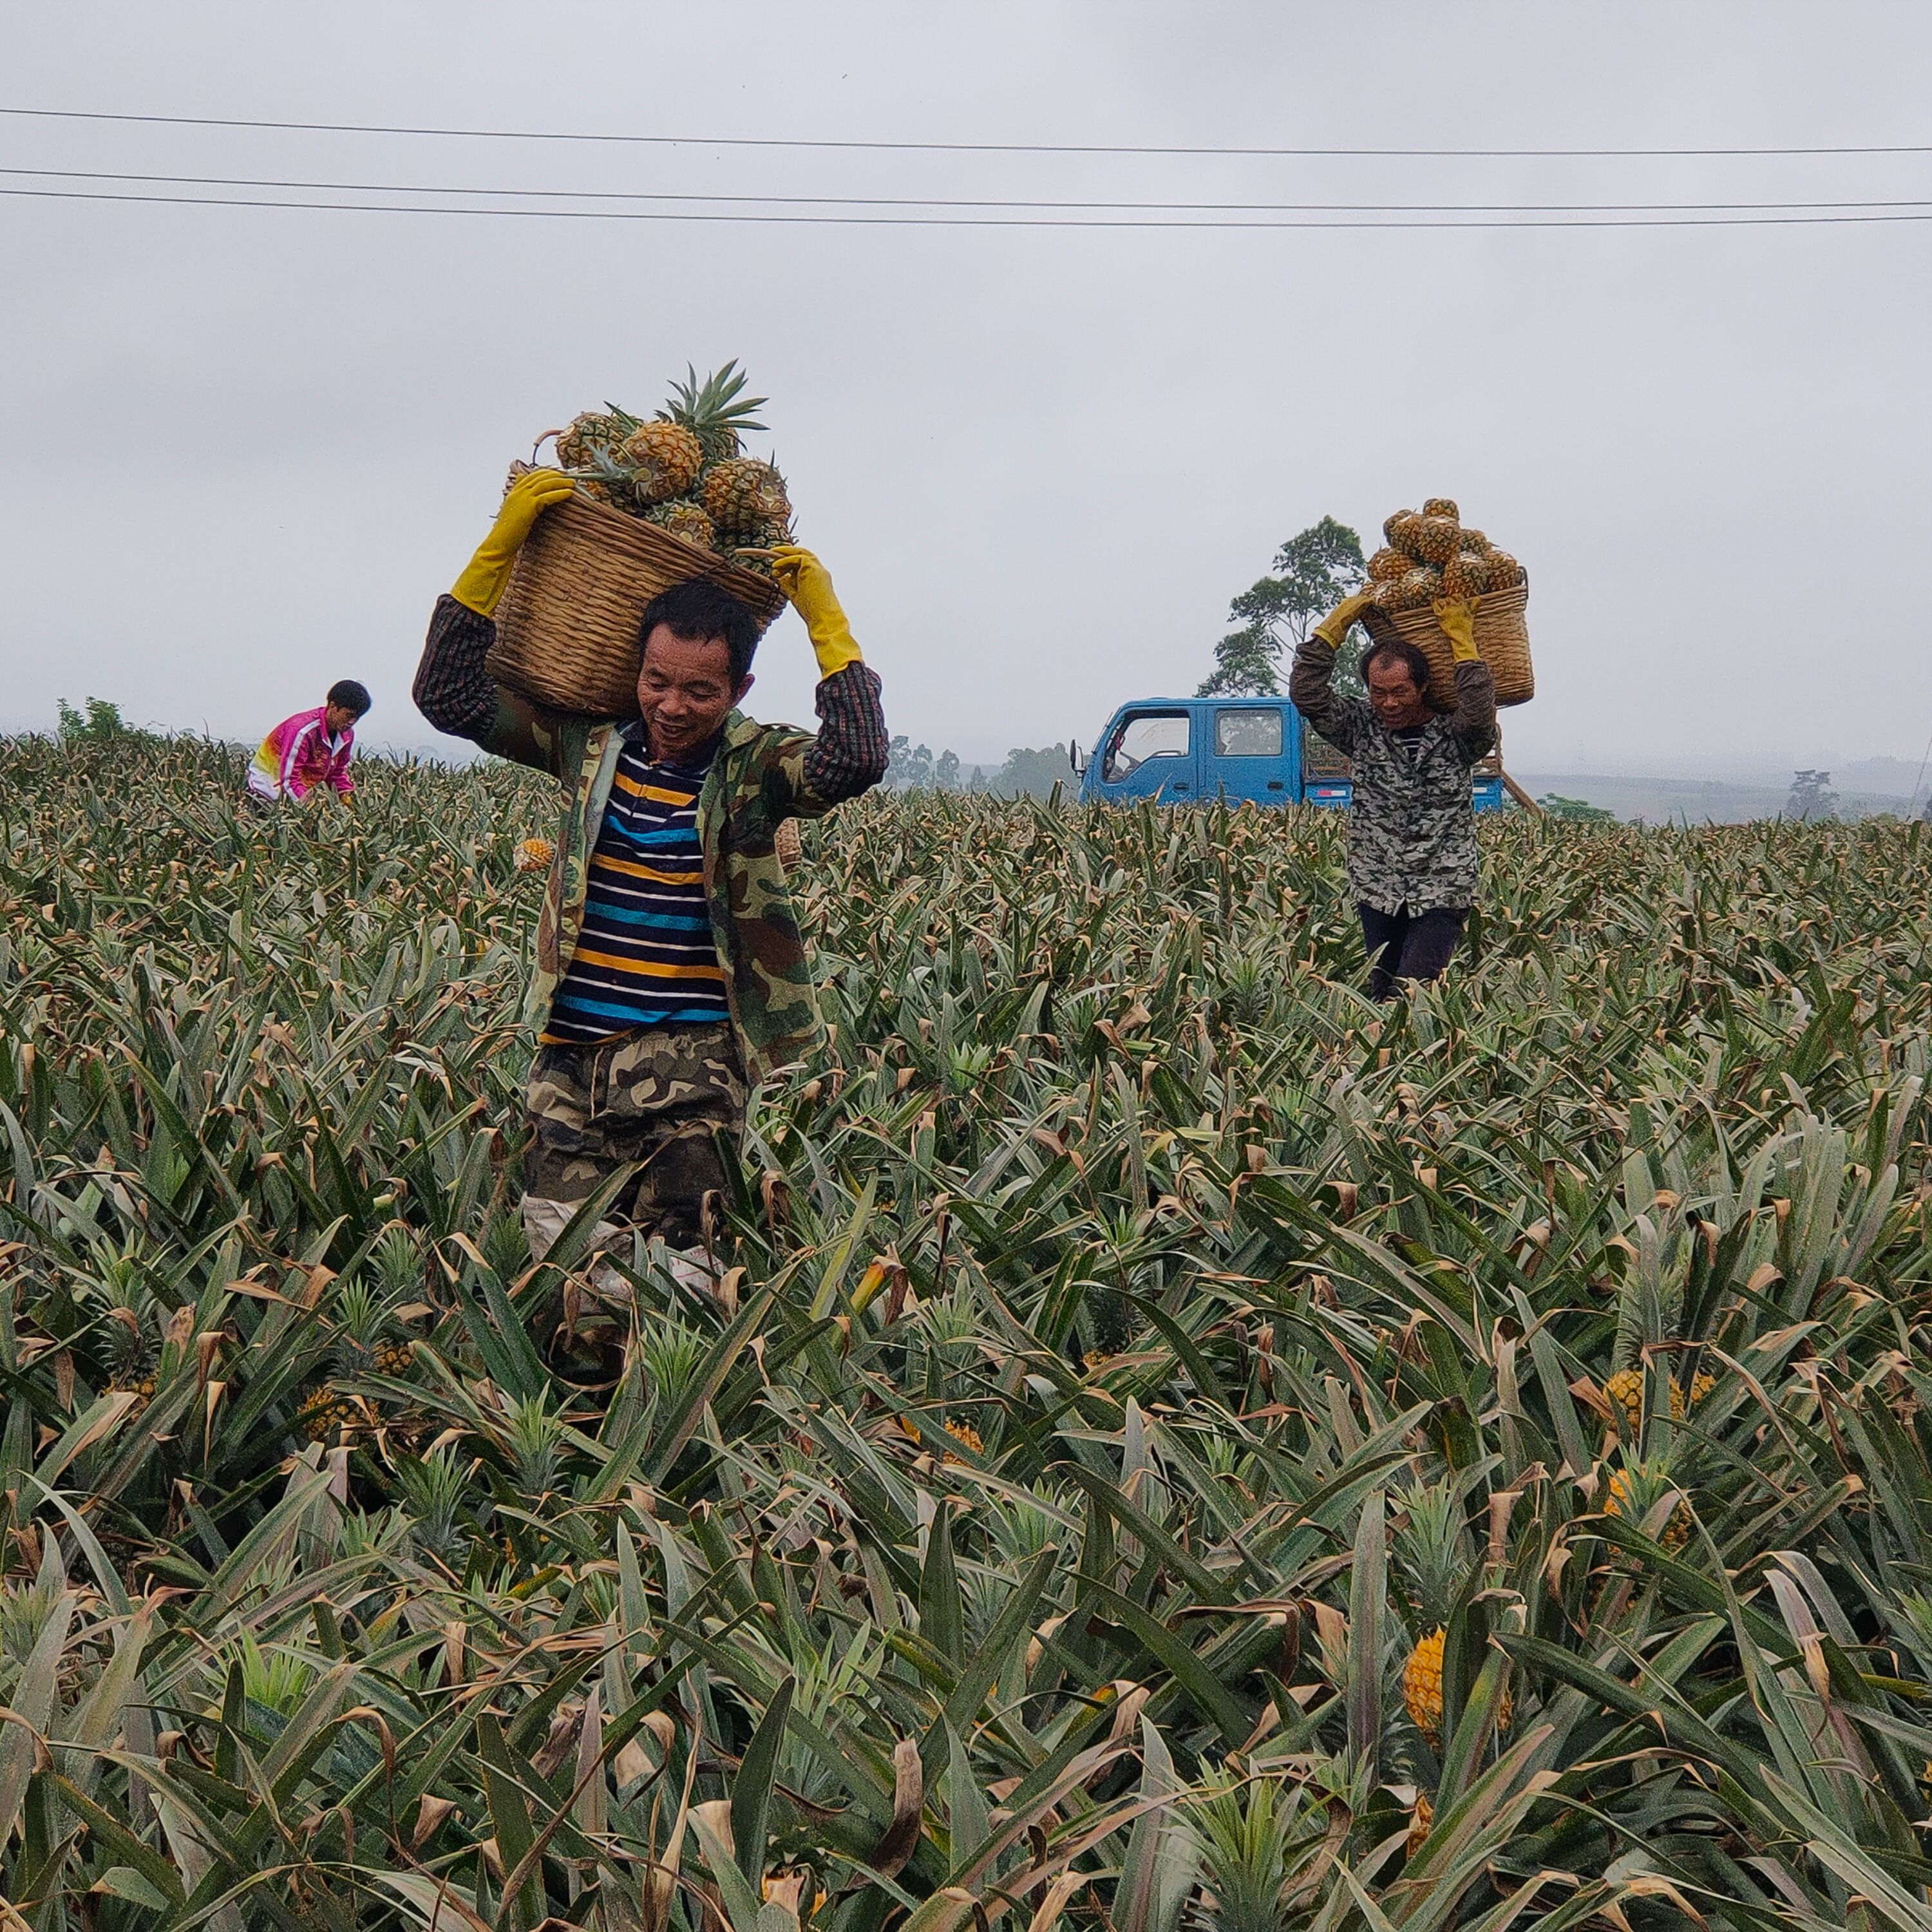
pixel 671 969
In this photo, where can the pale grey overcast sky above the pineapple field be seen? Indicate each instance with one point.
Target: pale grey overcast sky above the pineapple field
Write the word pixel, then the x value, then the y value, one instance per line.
pixel 246 447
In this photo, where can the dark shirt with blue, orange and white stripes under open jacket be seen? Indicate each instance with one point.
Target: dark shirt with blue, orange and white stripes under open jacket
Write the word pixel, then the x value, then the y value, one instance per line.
pixel 646 955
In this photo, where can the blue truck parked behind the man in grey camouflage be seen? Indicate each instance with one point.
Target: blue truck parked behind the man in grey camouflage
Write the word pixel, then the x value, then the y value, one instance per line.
pixel 1181 751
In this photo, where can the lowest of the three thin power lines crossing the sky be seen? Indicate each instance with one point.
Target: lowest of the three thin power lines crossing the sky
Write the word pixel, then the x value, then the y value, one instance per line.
pixel 961 221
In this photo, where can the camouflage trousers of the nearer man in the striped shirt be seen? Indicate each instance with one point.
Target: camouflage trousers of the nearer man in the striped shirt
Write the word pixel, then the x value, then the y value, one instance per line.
pixel 666 1096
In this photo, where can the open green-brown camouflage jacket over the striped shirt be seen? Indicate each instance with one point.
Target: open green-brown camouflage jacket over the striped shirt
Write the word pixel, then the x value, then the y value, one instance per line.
pixel 760 778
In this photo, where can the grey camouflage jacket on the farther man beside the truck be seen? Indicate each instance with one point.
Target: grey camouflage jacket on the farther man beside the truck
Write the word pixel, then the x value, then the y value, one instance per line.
pixel 1411 822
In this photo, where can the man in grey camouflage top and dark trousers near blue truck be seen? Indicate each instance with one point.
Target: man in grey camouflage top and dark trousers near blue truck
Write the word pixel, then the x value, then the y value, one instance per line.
pixel 1411 820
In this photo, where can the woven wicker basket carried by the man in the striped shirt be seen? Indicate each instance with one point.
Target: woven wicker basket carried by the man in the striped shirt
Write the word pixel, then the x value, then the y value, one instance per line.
pixel 567 627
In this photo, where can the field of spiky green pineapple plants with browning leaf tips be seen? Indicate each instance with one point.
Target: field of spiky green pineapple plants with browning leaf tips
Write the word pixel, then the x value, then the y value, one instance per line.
pixel 1189 1450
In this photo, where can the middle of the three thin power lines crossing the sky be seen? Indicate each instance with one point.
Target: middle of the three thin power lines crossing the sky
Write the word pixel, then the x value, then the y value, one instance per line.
pixel 1004 206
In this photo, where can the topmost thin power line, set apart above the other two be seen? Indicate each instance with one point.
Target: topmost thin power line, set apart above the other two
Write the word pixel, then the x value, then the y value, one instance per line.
pixel 979 148
